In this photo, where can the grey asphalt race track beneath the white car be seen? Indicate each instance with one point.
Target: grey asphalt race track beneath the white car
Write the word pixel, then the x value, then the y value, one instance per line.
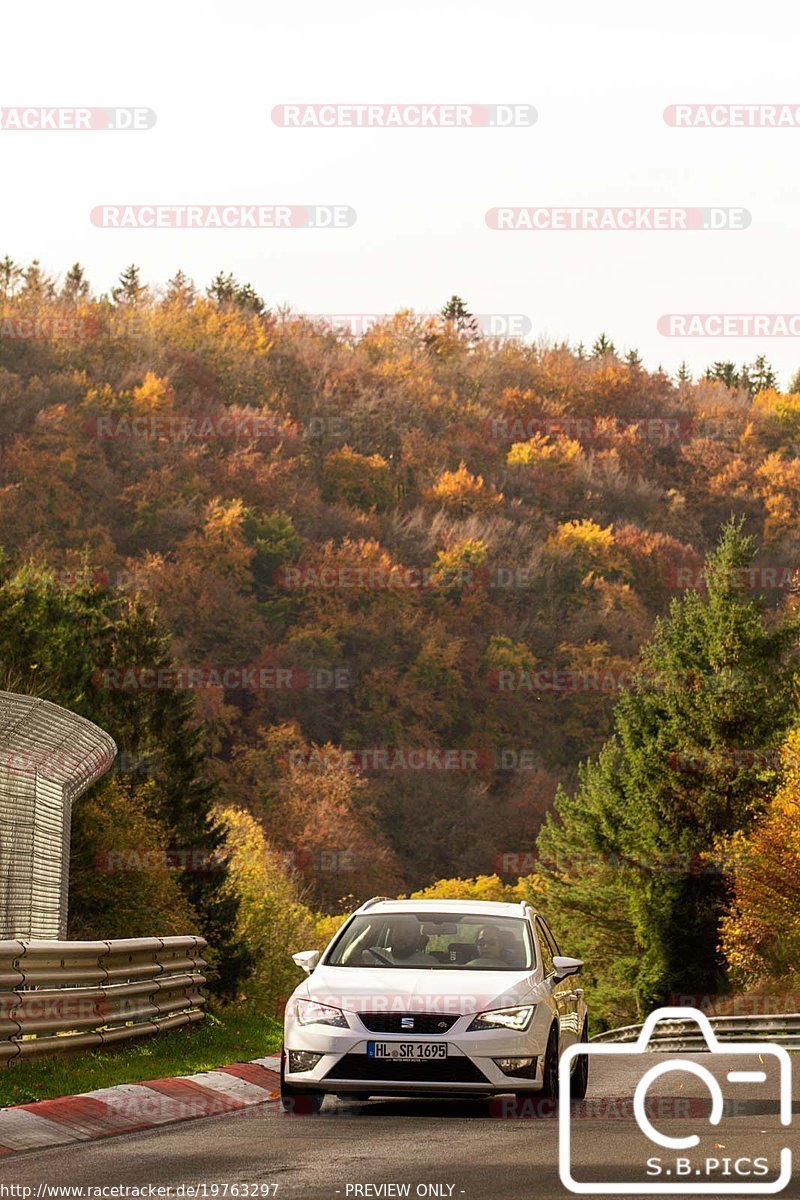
pixel 466 1149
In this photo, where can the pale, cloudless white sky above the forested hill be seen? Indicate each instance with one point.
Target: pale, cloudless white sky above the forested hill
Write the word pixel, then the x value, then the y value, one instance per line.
pixel 600 77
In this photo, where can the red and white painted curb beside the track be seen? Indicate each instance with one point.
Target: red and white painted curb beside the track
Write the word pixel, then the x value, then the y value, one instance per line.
pixel 134 1107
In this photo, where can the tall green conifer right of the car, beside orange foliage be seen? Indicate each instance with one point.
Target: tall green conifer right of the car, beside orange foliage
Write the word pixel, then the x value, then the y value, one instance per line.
pixel 714 695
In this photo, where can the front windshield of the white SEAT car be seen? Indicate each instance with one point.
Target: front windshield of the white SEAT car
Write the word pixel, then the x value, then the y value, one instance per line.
pixel 435 943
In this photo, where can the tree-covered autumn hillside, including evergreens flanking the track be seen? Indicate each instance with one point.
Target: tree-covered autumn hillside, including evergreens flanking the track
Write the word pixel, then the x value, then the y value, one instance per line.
pixel 370 613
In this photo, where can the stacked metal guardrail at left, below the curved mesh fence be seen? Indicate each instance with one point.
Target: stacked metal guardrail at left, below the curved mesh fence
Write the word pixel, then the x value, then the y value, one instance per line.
pixel 58 997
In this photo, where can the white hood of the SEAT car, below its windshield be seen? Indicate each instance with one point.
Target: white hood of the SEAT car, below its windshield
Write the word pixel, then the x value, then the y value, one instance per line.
pixel 417 991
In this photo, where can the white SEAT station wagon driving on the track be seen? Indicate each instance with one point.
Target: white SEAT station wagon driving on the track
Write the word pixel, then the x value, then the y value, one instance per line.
pixel 422 998
